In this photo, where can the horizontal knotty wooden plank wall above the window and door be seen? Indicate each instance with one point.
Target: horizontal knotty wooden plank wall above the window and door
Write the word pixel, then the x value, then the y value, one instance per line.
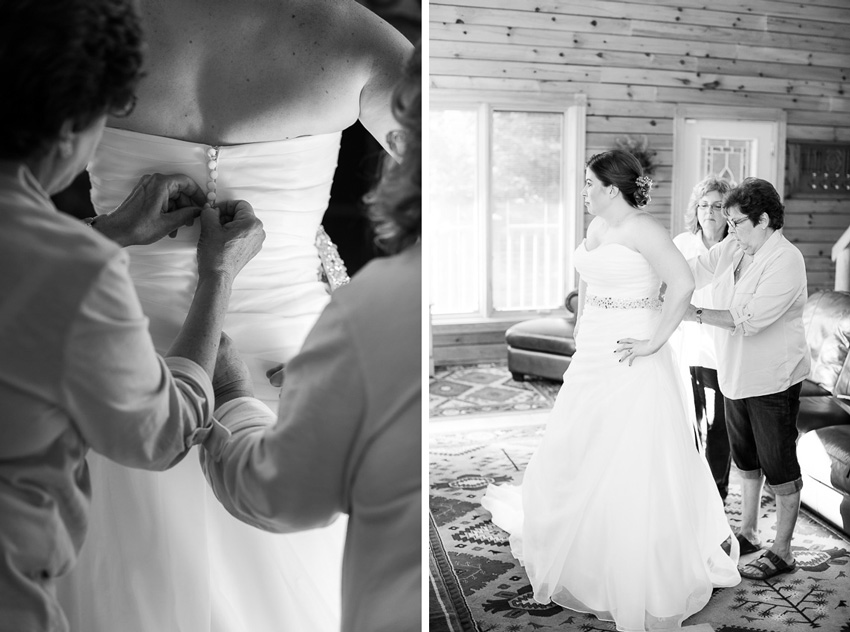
pixel 635 61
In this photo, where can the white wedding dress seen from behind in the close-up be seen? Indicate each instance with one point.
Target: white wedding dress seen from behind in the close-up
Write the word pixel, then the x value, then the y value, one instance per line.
pixel 161 554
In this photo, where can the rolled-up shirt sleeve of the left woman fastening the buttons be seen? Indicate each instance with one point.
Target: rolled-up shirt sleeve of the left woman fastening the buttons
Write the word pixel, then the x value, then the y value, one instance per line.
pixel 130 404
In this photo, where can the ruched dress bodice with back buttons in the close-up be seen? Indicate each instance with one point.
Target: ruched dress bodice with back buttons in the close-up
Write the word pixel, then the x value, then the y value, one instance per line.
pixel 277 296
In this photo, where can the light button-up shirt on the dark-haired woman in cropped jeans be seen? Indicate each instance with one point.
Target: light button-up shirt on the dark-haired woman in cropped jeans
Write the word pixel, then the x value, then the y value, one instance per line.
pixel 767 351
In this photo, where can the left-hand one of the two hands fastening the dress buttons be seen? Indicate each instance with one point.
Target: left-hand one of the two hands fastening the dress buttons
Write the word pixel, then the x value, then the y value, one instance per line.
pixel 157 206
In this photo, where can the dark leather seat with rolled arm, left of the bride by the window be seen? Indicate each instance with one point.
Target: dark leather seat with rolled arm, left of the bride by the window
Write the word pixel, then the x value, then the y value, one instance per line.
pixel 542 347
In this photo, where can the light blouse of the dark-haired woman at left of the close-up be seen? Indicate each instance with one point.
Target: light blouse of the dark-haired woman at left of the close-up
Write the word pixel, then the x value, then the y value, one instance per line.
pixel 77 370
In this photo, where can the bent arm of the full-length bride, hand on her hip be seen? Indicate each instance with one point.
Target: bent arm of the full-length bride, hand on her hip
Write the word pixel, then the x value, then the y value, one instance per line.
pixel 654 243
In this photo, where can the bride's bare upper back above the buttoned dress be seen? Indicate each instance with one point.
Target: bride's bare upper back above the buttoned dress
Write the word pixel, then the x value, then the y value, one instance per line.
pixel 239 71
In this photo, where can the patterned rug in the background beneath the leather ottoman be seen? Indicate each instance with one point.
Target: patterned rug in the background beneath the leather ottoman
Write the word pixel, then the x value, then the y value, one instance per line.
pixel 487 388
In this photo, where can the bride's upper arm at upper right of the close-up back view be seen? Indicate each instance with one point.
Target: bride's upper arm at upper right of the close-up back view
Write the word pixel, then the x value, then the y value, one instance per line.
pixel 388 51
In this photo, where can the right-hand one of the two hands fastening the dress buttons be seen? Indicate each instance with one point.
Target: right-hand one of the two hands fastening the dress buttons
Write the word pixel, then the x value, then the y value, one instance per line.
pixel 231 235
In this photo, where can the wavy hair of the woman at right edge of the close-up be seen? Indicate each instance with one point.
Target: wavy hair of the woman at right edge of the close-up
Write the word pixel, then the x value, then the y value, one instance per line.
pixel 395 204
